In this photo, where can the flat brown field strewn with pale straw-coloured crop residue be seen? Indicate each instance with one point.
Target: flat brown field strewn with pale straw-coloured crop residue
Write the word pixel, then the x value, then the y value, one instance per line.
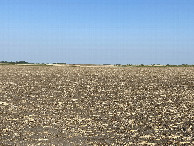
pixel 47 105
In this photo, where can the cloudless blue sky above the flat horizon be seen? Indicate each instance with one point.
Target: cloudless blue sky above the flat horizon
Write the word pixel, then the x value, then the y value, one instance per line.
pixel 97 31
